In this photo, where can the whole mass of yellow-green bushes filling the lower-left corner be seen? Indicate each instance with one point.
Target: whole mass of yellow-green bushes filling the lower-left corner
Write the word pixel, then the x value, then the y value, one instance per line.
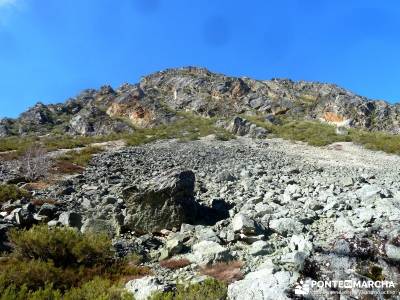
pixel 65 259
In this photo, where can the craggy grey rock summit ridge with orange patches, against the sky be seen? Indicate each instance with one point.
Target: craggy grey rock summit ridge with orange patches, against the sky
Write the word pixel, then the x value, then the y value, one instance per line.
pixel 158 99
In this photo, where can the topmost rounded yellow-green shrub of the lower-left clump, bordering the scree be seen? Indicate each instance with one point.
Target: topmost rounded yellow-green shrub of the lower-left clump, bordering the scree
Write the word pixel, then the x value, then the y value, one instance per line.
pixel 63 246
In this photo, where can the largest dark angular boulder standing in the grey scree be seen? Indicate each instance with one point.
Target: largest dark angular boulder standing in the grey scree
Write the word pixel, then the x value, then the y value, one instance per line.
pixel 166 202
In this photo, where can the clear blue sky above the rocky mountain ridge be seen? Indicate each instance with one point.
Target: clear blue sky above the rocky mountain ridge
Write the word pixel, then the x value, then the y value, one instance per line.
pixel 52 49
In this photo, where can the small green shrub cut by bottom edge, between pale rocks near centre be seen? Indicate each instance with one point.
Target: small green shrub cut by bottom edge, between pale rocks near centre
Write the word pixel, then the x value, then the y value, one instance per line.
pixel 210 289
